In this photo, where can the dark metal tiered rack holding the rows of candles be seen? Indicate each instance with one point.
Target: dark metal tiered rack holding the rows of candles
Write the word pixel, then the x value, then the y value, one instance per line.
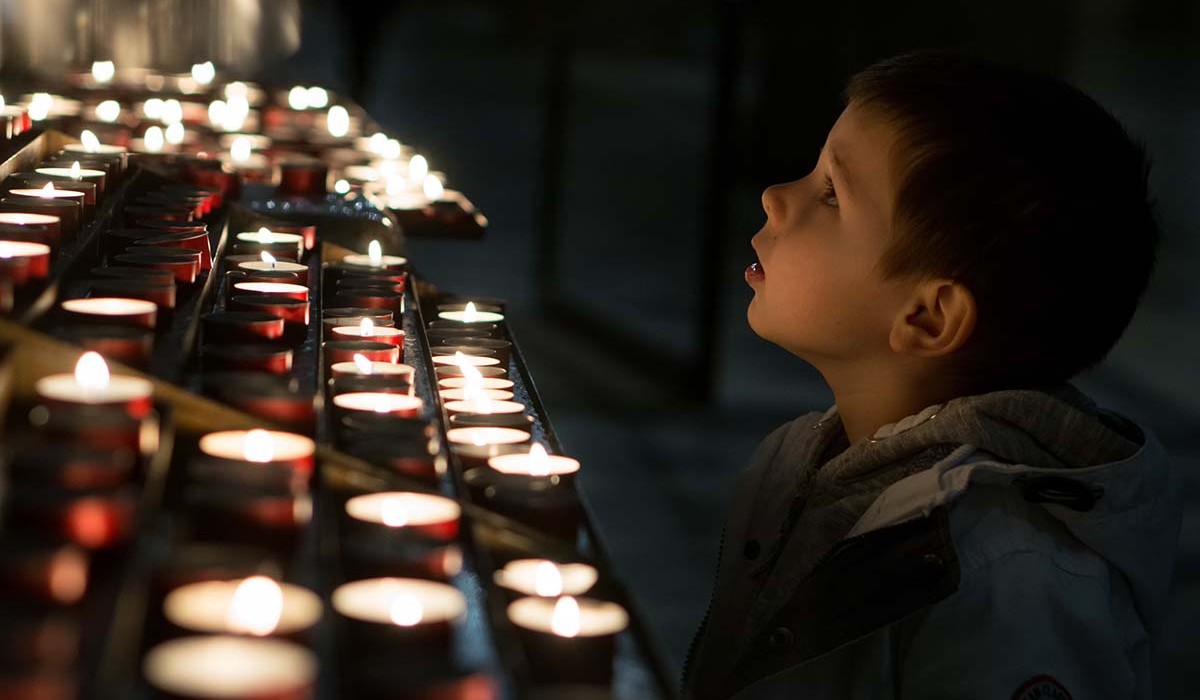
pixel 176 520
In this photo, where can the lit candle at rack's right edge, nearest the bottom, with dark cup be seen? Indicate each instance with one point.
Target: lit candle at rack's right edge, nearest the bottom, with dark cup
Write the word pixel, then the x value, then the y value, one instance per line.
pixel 572 638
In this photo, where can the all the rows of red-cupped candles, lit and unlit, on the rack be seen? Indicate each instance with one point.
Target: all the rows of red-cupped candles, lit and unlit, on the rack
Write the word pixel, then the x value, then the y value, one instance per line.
pixel 249 636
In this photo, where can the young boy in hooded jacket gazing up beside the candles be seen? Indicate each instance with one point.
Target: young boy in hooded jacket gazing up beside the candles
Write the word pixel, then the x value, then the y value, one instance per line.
pixel 963 523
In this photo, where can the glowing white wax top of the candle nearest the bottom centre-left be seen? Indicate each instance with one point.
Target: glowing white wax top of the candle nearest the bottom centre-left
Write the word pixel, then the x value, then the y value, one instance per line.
pixel 377 601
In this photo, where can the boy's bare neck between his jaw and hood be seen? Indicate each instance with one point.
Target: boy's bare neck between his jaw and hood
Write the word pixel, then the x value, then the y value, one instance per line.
pixel 868 403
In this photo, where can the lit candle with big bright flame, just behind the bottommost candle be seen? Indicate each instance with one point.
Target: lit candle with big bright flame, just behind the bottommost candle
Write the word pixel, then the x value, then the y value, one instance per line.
pixel 257 607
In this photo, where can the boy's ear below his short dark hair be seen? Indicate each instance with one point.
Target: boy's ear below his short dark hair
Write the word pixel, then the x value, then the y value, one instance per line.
pixel 937 321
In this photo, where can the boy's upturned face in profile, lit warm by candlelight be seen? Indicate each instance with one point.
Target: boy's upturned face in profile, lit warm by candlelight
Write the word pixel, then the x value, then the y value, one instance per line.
pixel 818 294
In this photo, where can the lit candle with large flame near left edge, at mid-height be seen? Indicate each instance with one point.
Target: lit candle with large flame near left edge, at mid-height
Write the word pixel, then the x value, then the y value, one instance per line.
pixel 93 386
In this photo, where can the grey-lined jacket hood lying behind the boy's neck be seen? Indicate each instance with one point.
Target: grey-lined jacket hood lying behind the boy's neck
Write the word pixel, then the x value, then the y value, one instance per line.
pixel 1007 436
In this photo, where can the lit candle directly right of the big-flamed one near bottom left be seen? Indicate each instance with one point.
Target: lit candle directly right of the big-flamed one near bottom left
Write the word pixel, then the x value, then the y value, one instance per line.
pixel 409 611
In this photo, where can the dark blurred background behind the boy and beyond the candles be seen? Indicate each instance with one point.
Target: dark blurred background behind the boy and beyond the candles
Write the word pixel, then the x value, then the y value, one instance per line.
pixel 620 149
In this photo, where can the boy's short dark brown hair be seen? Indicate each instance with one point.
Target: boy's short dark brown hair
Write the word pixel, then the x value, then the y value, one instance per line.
pixel 1027 192
